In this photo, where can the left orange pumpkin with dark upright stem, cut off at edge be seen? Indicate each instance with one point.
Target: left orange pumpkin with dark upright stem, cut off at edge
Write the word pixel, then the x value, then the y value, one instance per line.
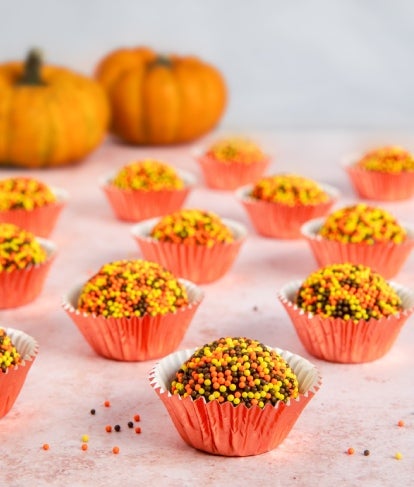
pixel 49 116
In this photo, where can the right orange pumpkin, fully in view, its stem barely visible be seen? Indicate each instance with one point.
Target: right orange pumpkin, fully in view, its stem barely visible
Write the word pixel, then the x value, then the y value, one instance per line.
pixel 161 100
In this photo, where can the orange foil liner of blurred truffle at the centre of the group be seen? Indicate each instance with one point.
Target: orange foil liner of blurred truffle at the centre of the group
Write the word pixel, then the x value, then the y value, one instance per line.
pixel 197 263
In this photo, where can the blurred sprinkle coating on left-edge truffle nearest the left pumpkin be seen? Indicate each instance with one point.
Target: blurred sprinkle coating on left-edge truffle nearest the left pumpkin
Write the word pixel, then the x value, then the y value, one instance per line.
pixel 24 193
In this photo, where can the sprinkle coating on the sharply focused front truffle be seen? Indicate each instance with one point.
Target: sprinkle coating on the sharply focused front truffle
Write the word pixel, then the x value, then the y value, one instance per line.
pixel 236 370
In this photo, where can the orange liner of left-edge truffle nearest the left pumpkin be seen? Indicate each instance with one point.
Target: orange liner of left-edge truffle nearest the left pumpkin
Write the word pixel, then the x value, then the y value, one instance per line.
pixel 40 221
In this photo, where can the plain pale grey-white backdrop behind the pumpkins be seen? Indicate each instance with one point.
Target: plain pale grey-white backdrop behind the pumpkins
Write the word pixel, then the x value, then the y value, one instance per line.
pixel 299 64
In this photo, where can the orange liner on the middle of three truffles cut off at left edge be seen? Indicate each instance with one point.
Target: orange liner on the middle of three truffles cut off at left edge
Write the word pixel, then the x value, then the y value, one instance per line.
pixel 23 286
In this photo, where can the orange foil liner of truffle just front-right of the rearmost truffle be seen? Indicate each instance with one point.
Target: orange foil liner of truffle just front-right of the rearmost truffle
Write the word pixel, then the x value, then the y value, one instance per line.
pixel 275 220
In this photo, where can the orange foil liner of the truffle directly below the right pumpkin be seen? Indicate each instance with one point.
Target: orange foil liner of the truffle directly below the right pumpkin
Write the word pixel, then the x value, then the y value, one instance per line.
pixel 136 205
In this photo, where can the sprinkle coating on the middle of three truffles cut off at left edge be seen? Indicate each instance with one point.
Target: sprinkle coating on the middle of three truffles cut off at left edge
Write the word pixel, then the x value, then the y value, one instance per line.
pixel 18 248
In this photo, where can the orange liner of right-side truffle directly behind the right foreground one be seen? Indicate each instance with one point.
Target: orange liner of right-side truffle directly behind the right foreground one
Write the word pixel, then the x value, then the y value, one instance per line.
pixel 387 258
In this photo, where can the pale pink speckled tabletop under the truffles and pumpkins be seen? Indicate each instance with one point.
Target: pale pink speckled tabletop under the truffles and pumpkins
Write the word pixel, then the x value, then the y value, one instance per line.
pixel 357 406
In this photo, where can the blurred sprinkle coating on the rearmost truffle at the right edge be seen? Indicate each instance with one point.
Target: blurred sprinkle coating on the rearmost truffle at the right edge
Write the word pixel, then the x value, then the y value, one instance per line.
pixel 389 159
